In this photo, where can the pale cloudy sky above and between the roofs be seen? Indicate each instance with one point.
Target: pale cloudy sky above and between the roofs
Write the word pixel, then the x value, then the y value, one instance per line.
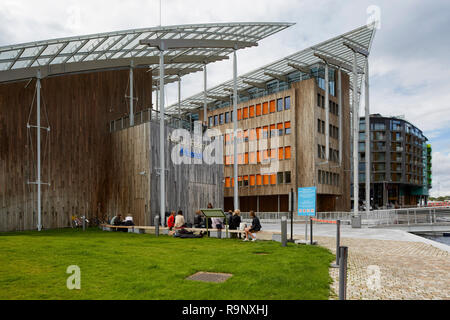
pixel 409 62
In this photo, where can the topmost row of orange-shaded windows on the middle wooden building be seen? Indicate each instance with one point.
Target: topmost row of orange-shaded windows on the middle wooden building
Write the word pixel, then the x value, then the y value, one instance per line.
pixel 251 111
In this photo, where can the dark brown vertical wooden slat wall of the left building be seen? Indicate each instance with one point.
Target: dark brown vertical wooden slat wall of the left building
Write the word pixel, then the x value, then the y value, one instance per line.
pixel 79 108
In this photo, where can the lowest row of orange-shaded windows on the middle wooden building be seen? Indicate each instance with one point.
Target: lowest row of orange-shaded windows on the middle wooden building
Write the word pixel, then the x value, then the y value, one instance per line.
pixel 257 180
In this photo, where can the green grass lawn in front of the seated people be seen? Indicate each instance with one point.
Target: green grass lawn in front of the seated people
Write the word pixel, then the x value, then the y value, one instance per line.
pixel 118 265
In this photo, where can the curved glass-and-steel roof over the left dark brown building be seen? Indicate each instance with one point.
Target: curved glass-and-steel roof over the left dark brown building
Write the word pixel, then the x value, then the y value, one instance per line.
pixel 117 49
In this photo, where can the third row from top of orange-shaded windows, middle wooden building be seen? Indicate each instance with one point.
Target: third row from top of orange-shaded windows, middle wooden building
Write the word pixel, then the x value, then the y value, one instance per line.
pixel 262 156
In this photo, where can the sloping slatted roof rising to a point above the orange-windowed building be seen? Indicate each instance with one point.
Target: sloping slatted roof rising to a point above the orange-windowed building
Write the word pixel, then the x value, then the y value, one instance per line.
pixel 334 50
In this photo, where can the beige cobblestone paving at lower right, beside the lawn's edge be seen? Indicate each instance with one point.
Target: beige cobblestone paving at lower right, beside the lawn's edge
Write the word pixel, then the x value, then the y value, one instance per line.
pixel 408 270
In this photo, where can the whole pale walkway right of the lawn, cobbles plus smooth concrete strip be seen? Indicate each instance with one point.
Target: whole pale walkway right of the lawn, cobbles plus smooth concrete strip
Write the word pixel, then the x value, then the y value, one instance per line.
pixel 386 264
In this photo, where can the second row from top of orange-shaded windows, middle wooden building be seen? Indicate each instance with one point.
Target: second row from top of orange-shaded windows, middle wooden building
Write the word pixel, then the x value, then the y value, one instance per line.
pixel 260 132
